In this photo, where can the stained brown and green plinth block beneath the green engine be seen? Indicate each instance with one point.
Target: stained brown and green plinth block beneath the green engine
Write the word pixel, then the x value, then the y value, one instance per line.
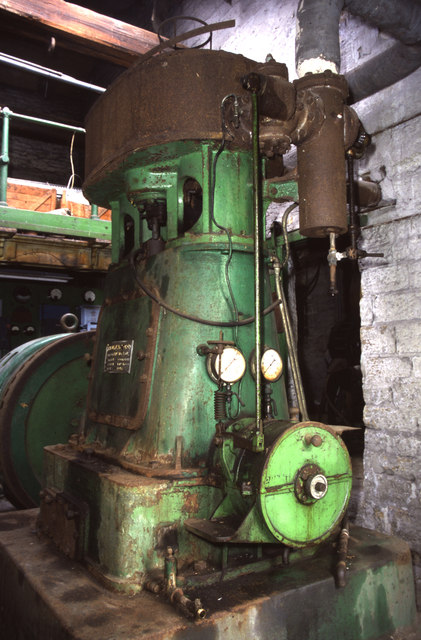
pixel 48 596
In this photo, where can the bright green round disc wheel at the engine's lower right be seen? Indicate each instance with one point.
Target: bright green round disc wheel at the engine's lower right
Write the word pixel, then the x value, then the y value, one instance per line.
pixel 305 484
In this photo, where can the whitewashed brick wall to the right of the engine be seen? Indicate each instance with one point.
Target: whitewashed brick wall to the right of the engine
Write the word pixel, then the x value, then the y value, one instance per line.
pixel 390 318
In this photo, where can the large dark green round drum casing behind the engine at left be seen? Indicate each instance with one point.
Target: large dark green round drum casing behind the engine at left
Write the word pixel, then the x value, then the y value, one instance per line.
pixel 43 386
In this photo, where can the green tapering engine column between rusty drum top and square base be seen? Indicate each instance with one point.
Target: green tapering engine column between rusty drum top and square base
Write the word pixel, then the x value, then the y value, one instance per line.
pixel 165 392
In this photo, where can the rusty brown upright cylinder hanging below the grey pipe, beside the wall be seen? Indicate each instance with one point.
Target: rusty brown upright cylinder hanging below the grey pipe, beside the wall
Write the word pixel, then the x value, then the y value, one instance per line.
pixel 321 160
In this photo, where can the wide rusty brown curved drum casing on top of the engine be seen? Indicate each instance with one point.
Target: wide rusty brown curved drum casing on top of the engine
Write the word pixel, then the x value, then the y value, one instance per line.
pixel 175 96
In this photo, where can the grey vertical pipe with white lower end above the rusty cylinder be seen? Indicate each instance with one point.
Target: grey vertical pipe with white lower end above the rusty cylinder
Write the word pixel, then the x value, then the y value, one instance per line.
pixel 317 41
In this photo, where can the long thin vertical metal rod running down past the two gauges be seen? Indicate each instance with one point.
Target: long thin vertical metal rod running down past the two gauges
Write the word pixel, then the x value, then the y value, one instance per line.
pixel 257 260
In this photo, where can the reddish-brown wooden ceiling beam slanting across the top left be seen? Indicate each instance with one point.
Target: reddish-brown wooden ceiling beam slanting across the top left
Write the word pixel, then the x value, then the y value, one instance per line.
pixel 98 35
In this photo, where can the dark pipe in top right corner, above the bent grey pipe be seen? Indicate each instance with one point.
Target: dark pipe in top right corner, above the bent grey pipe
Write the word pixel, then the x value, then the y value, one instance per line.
pixel 399 18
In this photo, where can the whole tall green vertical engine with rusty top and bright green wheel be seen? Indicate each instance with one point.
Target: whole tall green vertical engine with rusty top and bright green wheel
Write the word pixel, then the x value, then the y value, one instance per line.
pixel 188 468
